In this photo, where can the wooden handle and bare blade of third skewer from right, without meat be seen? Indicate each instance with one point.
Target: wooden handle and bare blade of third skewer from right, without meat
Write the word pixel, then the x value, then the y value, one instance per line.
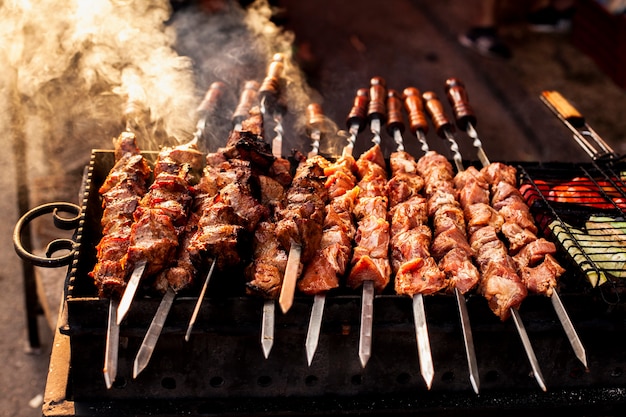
pixel 419 126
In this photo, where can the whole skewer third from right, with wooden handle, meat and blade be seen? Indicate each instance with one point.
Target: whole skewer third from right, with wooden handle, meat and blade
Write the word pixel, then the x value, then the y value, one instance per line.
pixel 461 273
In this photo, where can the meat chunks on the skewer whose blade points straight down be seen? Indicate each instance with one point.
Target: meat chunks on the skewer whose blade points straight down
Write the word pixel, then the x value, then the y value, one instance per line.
pixel 370 260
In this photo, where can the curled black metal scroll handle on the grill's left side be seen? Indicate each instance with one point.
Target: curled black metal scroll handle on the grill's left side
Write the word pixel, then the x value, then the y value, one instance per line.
pixel 60 222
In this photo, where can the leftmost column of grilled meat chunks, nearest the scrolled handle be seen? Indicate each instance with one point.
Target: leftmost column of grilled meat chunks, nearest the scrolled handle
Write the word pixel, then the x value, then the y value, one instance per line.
pixel 121 191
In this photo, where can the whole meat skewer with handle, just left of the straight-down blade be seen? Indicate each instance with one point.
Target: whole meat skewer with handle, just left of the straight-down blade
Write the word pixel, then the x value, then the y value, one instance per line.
pixel 331 260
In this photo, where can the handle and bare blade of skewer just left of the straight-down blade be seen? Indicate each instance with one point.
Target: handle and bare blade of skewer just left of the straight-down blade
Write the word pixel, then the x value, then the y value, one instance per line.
pixel 356 121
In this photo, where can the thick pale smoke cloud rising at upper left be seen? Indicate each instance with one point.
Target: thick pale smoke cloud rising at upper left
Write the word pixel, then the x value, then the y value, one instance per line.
pixel 73 69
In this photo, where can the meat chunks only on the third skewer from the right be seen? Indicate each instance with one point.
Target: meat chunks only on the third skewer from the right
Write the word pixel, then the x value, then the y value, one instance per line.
pixel 450 246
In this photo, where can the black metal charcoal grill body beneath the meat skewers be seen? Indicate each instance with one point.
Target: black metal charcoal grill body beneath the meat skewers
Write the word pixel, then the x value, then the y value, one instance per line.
pixel 222 370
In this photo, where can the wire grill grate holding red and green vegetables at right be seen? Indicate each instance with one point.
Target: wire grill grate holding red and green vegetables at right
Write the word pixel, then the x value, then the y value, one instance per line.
pixel 582 208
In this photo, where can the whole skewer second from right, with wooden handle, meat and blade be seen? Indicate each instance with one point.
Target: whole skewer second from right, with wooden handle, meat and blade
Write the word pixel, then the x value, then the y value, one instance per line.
pixel 500 283
